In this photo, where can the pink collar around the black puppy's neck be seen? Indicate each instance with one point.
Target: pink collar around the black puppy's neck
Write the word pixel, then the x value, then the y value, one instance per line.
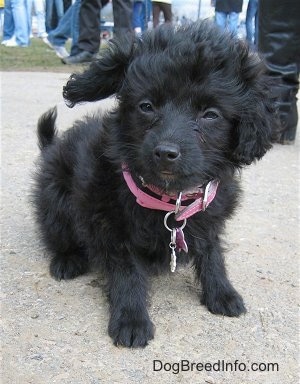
pixel 201 199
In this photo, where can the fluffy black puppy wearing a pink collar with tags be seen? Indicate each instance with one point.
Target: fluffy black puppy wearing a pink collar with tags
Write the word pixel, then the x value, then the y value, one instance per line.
pixel 156 175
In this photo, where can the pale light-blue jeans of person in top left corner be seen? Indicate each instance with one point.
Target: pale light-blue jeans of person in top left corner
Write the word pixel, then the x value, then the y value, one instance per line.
pixel 16 22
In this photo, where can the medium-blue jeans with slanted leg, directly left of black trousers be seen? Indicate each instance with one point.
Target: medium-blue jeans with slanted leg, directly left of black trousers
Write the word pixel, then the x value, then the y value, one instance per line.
pixel 67 27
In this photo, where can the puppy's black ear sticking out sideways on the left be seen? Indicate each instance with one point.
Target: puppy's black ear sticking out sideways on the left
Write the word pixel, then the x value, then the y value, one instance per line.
pixel 104 77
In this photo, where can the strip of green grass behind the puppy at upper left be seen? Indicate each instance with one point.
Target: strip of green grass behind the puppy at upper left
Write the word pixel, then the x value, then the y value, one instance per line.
pixel 37 57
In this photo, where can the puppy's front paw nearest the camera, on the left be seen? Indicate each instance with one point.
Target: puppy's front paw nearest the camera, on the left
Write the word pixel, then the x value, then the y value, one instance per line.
pixel 131 333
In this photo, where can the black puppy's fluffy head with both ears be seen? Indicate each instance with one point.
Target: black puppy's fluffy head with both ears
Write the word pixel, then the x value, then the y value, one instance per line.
pixel 193 103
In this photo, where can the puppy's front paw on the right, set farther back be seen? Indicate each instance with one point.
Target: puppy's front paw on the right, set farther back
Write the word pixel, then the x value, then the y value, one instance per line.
pixel 227 302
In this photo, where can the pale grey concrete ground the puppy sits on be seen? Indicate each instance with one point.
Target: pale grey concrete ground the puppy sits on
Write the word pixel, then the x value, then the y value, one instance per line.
pixel 56 332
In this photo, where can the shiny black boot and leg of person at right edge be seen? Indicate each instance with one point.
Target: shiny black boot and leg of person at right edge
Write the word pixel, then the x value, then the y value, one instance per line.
pixel 279 44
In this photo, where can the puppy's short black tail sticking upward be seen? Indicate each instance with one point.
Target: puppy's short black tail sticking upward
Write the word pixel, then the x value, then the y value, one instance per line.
pixel 46 129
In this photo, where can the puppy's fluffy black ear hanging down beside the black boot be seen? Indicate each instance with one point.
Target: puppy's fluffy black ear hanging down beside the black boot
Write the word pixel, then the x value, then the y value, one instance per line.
pixel 258 124
